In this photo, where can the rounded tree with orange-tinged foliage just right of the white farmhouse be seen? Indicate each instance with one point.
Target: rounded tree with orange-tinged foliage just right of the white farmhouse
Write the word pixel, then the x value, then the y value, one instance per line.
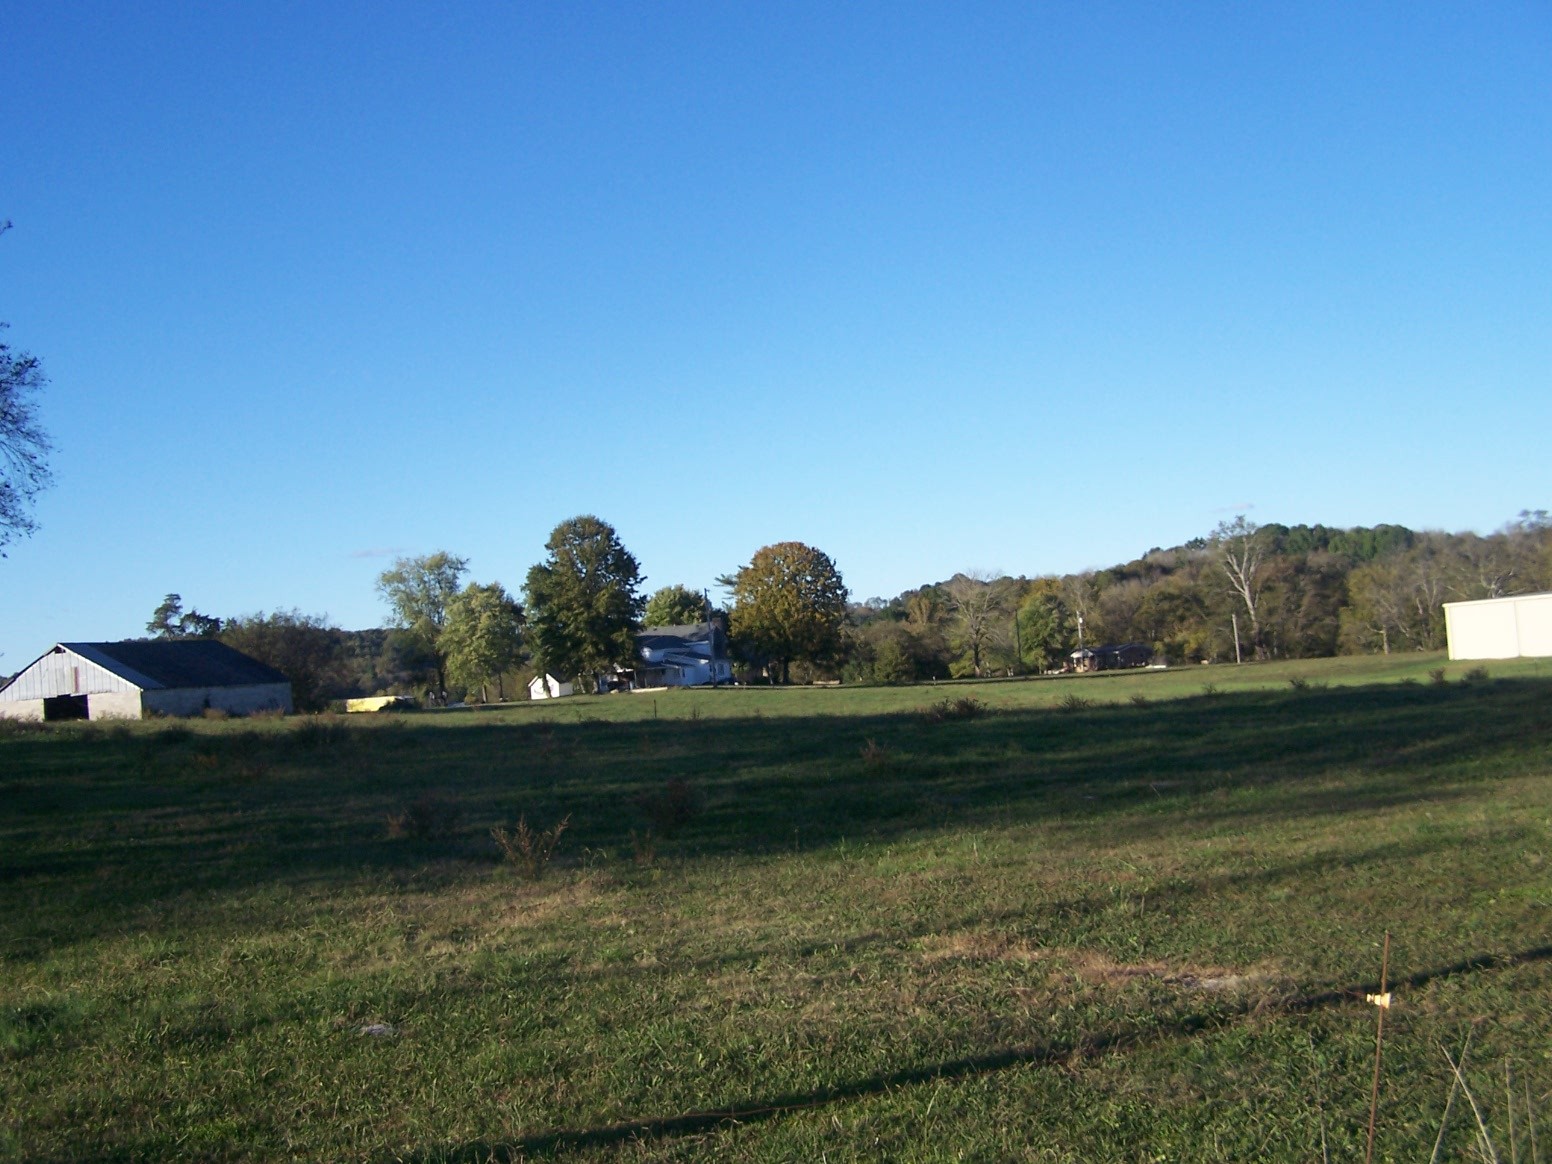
pixel 789 603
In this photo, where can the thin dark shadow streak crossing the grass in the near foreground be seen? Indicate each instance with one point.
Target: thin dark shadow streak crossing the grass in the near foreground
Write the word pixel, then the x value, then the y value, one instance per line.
pixel 1047 1055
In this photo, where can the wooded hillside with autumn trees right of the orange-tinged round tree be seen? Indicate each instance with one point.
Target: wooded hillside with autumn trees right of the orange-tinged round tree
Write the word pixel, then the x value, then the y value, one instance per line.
pixel 1295 592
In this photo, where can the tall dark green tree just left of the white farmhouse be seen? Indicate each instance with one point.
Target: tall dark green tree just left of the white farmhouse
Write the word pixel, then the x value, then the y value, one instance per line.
pixel 584 601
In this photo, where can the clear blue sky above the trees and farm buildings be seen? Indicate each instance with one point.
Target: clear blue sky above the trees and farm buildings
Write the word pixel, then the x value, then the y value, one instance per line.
pixel 1024 288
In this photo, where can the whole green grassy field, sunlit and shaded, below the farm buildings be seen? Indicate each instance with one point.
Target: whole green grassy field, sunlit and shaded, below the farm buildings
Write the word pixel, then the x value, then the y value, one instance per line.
pixel 1112 920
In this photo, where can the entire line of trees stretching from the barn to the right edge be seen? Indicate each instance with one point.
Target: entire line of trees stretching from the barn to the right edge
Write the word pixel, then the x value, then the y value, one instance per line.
pixel 1245 591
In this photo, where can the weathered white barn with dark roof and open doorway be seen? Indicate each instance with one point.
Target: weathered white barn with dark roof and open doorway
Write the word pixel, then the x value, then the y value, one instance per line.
pixel 139 679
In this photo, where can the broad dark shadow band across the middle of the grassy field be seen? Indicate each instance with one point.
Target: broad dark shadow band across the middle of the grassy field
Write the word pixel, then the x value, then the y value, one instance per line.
pixel 105 828
